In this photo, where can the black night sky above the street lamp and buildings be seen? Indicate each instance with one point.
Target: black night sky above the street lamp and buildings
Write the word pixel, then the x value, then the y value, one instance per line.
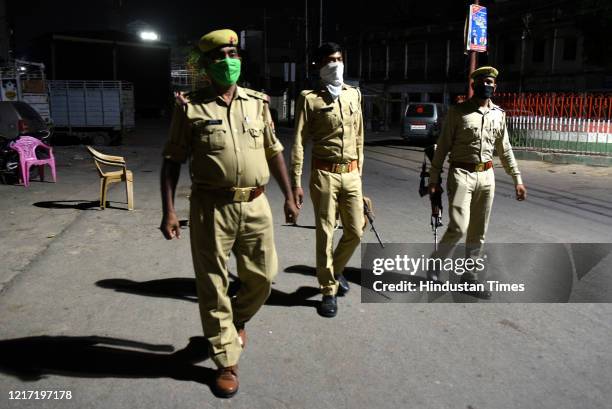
pixel 190 19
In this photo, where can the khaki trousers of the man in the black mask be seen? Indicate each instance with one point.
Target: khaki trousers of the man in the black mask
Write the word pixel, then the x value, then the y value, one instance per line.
pixel 470 198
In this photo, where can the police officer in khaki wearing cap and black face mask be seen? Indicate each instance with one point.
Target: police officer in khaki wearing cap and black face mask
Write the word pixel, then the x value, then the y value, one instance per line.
pixel 471 132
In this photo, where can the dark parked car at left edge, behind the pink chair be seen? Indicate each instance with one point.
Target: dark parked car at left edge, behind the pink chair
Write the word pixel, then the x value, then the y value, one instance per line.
pixel 19 118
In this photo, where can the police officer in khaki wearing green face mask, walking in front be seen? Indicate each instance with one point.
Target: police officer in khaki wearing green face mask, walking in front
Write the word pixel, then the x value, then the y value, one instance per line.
pixel 227 133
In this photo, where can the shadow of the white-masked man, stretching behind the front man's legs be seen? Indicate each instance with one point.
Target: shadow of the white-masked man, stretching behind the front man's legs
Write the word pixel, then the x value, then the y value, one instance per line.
pixel 184 289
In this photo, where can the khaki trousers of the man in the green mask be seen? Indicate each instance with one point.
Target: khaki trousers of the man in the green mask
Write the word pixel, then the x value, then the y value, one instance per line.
pixel 244 228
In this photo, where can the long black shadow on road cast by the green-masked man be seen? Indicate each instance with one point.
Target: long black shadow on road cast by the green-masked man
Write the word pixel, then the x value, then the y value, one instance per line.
pixel 33 358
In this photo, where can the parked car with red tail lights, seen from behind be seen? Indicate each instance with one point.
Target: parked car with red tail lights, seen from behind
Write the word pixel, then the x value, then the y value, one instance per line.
pixel 422 121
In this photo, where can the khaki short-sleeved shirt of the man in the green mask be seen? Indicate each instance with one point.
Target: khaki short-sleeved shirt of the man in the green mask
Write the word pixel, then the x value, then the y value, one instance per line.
pixel 228 145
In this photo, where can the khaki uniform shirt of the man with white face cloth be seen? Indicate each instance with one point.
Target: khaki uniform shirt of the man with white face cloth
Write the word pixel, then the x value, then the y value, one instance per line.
pixel 335 128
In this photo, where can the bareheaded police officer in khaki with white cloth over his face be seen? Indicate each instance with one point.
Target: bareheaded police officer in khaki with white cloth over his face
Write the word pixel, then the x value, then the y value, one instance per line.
pixel 330 117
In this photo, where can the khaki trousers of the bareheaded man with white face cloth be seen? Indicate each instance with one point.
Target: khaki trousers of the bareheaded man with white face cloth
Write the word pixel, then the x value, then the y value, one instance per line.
pixel 329 192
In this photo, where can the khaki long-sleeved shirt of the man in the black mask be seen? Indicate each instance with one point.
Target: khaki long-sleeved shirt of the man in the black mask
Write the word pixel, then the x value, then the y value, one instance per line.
pixel 470 134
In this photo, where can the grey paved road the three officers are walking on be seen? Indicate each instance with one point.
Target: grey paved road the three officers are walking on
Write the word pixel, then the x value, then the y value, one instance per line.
pixel 97 303
